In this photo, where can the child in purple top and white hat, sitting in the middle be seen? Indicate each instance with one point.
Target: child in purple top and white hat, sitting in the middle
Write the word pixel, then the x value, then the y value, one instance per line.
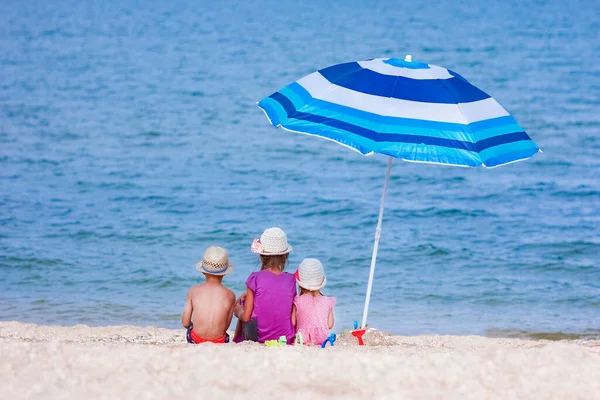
pixel 270 292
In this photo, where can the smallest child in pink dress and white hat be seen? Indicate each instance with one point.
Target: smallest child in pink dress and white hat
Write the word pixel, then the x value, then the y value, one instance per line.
pixel 312 313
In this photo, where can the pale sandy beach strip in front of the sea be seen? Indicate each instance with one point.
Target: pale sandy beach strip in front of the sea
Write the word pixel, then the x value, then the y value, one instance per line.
pixel 120 362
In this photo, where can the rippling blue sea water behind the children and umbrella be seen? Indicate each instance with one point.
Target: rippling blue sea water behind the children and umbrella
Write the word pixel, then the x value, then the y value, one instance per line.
pixel 130 141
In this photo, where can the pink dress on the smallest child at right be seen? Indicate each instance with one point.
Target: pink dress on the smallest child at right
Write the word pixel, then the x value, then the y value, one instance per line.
pixel 312 314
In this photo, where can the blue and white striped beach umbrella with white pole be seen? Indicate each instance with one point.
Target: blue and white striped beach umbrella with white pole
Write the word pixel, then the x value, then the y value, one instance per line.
pixel 403 109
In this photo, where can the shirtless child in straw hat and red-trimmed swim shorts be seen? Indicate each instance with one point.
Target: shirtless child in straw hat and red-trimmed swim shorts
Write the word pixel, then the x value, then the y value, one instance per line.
pixel 209 306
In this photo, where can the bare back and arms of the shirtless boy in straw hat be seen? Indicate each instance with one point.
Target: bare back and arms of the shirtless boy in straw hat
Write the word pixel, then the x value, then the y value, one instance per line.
pixel 209 306
